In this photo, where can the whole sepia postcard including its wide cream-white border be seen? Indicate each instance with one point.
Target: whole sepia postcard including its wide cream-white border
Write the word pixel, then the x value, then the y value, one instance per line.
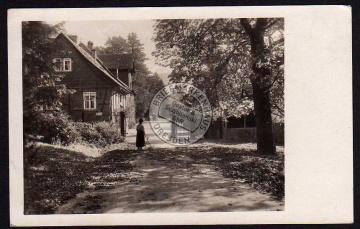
pixel 166 116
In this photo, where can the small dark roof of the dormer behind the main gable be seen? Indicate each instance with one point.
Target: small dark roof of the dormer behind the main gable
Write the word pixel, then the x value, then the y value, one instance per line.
pixel 117 61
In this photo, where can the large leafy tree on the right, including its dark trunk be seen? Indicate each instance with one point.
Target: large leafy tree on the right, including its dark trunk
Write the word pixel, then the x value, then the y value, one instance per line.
pixel 238 63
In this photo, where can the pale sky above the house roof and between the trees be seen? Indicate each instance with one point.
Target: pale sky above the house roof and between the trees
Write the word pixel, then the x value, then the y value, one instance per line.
pixel 99 31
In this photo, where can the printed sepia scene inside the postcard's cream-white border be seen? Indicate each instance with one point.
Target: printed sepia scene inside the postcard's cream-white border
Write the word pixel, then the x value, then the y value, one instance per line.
pixel 162 115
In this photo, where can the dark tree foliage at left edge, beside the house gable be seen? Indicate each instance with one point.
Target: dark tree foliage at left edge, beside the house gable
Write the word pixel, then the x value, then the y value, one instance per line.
pixel 41 88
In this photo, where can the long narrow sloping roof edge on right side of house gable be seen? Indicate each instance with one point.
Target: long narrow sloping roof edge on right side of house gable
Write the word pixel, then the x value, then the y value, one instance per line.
pixel 96 63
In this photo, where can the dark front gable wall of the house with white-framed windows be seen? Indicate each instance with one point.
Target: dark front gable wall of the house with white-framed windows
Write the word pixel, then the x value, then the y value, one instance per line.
pixel 95 86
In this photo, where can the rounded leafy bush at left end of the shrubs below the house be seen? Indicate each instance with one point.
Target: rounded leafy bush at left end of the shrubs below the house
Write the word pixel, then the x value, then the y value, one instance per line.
pixel 57 127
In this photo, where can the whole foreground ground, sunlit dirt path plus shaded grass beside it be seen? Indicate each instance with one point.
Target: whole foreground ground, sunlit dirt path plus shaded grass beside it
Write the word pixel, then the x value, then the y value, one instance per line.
pixel 192 179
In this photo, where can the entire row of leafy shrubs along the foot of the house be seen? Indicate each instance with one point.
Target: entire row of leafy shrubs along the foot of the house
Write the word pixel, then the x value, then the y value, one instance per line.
pixel 57 127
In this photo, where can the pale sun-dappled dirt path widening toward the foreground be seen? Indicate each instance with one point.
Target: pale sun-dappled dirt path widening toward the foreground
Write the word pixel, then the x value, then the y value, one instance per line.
pixel 175 185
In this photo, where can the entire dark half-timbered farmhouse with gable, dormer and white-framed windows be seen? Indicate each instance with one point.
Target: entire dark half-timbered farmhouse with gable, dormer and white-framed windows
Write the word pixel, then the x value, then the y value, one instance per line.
pixel 103 87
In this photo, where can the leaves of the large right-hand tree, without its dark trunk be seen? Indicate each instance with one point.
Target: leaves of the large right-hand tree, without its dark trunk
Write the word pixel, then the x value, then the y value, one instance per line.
pixel 215 56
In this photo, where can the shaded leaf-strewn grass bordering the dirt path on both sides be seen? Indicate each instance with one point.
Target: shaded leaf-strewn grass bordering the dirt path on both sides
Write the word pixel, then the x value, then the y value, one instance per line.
pixel 53 175
